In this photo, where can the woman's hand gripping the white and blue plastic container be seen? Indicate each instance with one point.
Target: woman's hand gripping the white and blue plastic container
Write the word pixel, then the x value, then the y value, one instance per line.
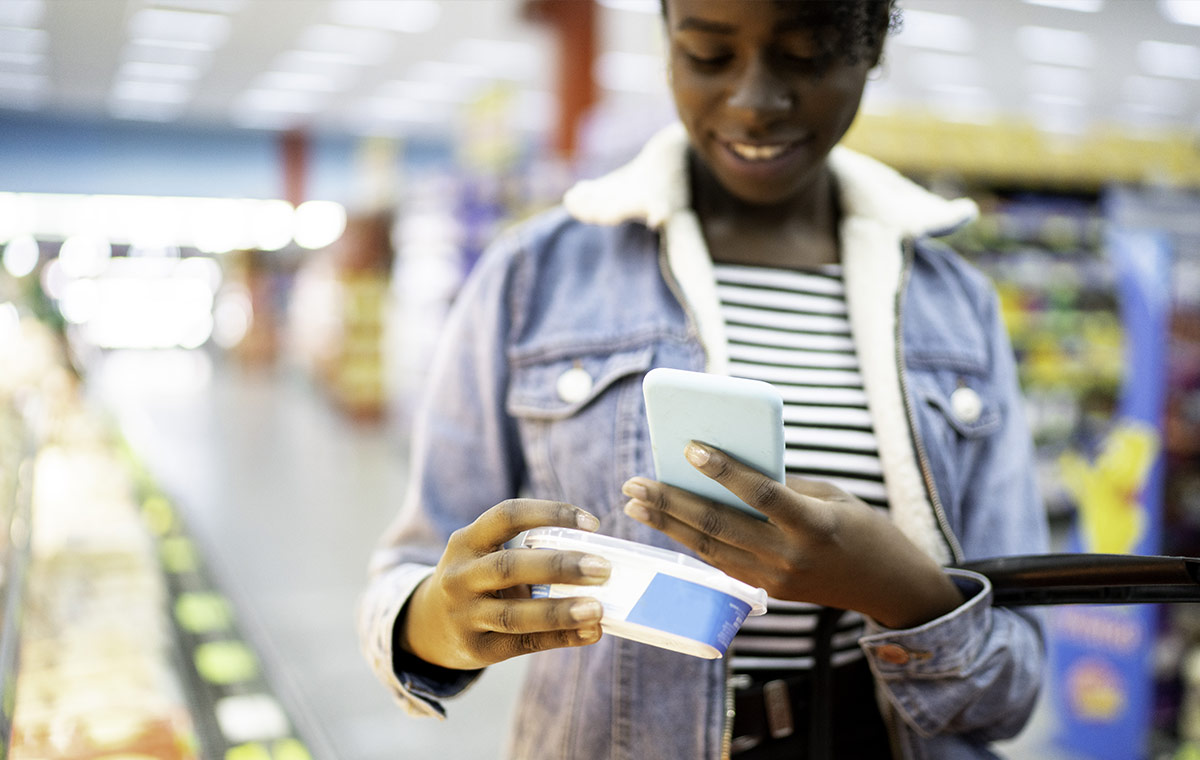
pixel 476 609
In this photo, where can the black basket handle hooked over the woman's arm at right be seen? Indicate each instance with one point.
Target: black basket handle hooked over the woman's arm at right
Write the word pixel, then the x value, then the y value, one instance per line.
pixel 1090 579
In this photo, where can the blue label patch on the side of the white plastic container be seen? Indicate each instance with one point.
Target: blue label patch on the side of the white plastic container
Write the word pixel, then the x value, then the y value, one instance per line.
pixel 691 611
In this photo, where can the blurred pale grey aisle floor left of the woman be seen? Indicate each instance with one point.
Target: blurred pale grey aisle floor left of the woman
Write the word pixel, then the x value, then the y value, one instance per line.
pixel 286 499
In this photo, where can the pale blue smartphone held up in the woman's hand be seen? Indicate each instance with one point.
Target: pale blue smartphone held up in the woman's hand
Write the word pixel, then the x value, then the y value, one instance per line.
pixel 745 418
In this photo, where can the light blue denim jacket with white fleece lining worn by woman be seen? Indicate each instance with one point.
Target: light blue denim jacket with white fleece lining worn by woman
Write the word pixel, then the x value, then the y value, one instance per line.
pixel 619 282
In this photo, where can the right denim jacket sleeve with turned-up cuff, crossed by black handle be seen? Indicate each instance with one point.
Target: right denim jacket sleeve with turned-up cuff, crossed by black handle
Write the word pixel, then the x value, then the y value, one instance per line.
pixel 977 671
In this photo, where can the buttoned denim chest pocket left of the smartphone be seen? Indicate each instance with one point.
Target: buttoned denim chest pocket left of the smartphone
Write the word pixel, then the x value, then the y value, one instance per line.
pixel 580 420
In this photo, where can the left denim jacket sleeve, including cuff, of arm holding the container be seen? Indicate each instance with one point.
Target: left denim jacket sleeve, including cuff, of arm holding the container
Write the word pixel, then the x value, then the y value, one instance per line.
pixel 464 460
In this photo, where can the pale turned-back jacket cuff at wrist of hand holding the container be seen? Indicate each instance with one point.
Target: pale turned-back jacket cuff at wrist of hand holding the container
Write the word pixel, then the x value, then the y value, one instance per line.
pixel 419 687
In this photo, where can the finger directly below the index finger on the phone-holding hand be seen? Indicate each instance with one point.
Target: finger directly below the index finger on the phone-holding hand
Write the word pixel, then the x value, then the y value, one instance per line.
pixel 651 501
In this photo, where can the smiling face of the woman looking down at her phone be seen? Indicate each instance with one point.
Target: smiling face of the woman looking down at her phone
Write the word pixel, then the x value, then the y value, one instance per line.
pixel 760 93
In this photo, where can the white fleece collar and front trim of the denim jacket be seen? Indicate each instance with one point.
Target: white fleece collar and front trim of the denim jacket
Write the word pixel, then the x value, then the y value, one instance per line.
pixel 880 210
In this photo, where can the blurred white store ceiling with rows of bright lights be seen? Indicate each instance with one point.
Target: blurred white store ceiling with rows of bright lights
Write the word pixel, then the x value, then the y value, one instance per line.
pixel 401 67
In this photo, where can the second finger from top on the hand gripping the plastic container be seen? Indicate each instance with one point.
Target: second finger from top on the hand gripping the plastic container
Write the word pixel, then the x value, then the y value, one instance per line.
pixel 503 570
